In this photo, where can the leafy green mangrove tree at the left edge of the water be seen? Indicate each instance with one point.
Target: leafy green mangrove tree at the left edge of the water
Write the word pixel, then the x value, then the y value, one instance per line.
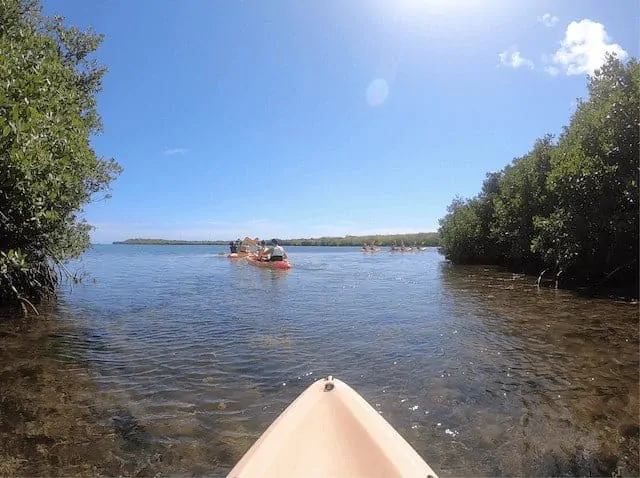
pixel 48 169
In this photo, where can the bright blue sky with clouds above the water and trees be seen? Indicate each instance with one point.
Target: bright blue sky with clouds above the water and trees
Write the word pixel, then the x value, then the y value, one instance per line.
pixel 328 117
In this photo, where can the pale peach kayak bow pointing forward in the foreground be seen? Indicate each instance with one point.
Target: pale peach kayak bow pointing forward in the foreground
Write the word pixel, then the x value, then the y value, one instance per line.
pixel 331 431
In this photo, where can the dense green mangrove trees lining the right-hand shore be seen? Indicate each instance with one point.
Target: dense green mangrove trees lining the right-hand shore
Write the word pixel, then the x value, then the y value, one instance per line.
pixel 570 205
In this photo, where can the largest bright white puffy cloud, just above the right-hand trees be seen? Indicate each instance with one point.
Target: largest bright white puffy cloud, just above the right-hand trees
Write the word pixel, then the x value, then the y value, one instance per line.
pixel 583 49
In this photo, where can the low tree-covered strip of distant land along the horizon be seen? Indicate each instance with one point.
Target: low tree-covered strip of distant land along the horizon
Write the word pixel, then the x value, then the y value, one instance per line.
pixel 422 238
